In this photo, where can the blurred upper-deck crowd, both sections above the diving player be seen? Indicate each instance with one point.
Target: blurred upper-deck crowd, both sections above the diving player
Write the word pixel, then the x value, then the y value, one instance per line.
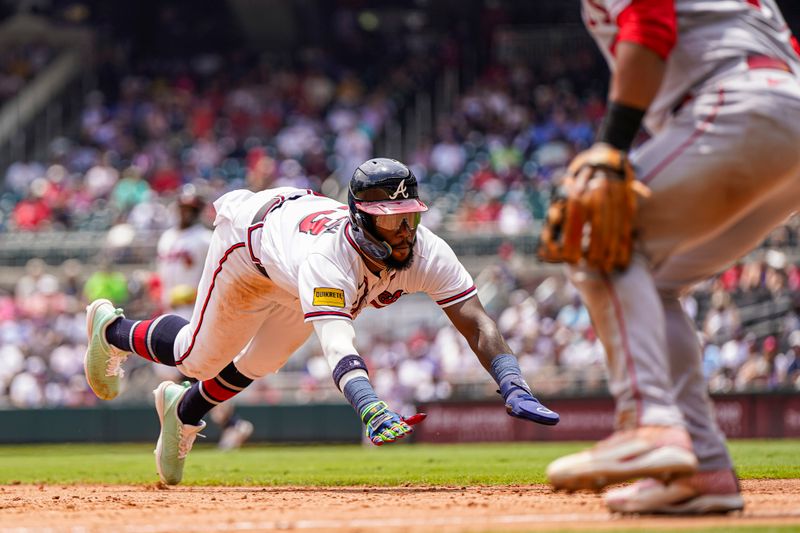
pixel 258 124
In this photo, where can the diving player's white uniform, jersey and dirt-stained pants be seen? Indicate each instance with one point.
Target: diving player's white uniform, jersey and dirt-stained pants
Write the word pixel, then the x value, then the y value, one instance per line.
pixel 305 245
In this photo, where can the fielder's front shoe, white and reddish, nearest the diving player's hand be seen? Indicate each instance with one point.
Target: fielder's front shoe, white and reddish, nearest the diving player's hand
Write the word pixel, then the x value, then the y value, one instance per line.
pixel 661 452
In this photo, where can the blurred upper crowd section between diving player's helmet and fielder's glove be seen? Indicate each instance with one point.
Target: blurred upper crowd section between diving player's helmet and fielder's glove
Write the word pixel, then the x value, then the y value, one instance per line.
pixel 491 163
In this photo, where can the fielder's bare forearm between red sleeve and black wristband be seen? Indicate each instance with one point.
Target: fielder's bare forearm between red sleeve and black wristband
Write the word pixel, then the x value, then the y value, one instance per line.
pixel 637 77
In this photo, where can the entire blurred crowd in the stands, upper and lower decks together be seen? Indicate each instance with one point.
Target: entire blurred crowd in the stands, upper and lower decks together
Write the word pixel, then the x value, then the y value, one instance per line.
pixel 233 121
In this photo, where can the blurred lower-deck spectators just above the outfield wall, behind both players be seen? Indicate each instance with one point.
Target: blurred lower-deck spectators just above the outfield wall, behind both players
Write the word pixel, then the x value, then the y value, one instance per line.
pixel 748 321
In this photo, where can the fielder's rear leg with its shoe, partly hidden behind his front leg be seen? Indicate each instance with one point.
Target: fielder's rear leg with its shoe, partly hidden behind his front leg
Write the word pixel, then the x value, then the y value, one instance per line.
pixel 715 487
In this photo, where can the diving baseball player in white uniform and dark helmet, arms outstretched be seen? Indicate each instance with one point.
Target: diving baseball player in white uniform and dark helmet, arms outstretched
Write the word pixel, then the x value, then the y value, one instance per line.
pixel 284 262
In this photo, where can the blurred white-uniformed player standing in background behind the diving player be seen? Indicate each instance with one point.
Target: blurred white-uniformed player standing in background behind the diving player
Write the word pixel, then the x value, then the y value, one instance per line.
pixel 182 253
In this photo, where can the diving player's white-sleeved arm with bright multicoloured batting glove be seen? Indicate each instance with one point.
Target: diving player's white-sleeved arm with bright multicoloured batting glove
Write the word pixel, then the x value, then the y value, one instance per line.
pixel 381 424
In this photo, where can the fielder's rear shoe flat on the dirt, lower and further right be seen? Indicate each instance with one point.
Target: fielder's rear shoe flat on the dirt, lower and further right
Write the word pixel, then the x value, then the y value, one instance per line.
pixel 703 493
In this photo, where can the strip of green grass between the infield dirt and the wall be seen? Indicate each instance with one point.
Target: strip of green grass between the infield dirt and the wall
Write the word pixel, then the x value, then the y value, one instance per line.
pixel 466 464
